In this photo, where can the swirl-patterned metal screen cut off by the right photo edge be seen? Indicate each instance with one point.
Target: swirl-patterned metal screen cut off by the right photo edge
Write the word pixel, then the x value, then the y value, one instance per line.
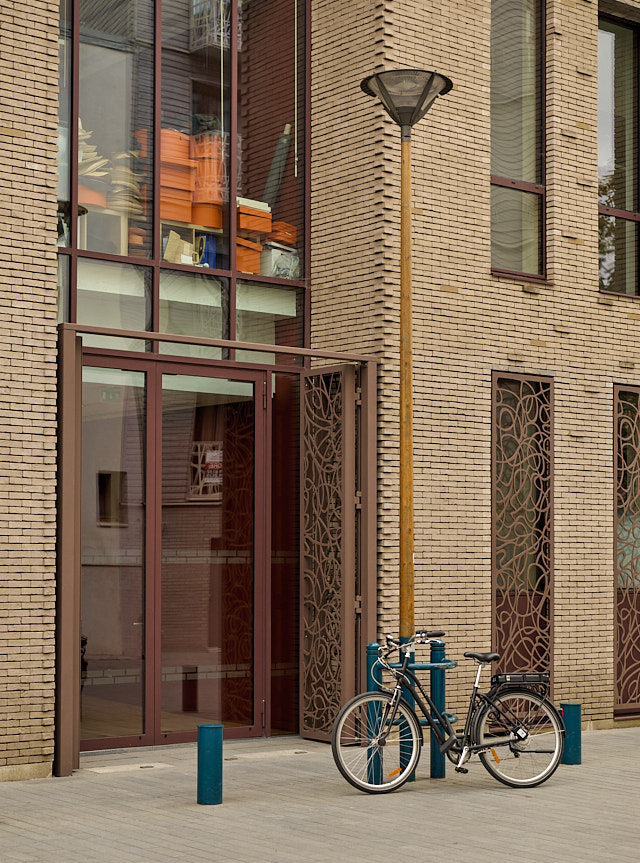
pixel 627 552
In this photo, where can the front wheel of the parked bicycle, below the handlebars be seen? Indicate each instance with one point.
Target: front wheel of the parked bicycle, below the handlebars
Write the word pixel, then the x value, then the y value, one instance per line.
pixel 376 748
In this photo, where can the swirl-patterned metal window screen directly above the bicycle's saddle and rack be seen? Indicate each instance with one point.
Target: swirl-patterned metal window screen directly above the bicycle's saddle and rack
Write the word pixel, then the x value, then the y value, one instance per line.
pixel 522 522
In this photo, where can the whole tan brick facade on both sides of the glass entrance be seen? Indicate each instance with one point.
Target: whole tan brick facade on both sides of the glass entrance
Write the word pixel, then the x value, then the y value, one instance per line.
pixel 476 332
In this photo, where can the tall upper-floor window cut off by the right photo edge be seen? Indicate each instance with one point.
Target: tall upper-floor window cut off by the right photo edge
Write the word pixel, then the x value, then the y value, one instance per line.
pixel 618 157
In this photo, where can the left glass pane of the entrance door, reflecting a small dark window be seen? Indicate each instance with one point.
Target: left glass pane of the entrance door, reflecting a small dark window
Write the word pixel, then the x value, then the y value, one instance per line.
pixel 113 509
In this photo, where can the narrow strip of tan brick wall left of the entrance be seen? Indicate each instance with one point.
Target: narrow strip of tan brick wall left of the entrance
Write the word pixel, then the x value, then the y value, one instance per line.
pixel 28 78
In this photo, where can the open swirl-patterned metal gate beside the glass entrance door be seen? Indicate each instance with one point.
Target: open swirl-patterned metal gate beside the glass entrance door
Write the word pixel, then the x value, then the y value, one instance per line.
pixel 328 548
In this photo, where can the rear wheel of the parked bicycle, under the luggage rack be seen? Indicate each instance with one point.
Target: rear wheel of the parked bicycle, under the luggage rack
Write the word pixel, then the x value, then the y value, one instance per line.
pixel 526 737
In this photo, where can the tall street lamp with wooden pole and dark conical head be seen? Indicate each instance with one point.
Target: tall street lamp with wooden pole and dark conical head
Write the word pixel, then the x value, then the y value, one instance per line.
pixel 406 95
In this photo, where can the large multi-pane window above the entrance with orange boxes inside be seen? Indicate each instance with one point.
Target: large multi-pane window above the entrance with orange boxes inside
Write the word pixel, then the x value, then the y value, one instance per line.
pixel 190 140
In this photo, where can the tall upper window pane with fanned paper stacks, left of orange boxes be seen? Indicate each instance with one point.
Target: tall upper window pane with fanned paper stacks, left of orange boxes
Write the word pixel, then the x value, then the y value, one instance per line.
pixel 116 111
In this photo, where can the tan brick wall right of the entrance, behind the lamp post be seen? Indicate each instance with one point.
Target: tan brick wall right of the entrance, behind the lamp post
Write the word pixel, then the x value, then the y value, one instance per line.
pixel 468 323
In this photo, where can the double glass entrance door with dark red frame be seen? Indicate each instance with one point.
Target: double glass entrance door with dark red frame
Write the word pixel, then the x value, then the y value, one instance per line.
pixel 173 568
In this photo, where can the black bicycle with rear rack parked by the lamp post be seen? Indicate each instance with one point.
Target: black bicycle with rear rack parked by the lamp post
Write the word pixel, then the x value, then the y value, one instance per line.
pixel 514 728
